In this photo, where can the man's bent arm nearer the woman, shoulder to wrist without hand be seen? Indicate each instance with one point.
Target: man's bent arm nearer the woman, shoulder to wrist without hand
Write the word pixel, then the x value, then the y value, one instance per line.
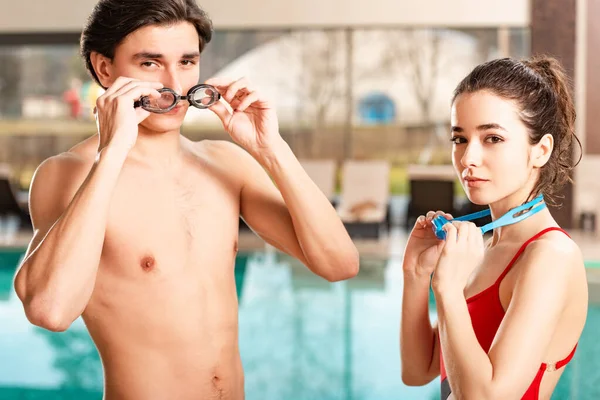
pixel 293 214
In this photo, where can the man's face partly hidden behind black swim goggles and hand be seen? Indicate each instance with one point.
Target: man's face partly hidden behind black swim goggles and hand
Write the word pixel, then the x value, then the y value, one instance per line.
pixel 166 54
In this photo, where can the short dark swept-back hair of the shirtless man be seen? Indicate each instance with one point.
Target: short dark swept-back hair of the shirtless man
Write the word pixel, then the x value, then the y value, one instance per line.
pixel 111 21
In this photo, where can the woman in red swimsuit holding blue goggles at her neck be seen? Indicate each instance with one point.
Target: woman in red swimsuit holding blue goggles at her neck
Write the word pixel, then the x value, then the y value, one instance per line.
pixel 510 310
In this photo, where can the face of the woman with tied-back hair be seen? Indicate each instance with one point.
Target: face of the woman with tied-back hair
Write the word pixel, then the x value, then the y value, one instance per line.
pixel 490 152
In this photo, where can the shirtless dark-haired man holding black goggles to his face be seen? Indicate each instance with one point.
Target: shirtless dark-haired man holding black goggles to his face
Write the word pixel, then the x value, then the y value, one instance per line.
pixel 136 228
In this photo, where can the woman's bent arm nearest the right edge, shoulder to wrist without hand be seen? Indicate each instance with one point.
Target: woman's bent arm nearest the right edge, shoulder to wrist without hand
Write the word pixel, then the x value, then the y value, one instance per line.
pixel 538 301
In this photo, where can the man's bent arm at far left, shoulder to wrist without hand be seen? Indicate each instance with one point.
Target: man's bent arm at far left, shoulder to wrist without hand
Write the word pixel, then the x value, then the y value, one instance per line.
pixel 69 208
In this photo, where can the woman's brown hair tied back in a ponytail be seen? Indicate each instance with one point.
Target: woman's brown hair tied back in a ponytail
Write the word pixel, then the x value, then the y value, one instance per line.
pixel 541 89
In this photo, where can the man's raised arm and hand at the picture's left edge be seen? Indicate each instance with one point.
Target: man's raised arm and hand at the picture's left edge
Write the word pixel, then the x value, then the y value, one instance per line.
pixel 69 207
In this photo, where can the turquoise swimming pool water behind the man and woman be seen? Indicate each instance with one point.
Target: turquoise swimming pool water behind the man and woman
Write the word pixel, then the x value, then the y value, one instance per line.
pixel 301 338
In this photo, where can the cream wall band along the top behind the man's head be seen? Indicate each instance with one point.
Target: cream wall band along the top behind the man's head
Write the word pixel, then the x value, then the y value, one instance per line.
pixel 70 15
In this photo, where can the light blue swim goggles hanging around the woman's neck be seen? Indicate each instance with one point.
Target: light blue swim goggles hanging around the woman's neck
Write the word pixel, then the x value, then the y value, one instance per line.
pixel 513 216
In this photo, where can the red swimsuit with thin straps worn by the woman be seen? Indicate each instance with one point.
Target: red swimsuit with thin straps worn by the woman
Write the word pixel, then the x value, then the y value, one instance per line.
pixel 487 313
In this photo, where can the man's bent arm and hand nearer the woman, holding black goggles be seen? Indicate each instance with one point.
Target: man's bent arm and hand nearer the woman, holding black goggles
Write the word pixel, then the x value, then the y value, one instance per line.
pixel 297 218
